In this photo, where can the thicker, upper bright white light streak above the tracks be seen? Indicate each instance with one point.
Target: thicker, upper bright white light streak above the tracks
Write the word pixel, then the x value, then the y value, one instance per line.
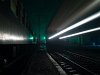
pixel 88 19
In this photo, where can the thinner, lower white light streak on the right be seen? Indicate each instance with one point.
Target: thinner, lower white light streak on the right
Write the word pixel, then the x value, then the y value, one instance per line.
pixel 79 33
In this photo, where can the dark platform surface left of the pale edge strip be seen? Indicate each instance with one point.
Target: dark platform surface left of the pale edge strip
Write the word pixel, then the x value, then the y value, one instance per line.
pixel 41 65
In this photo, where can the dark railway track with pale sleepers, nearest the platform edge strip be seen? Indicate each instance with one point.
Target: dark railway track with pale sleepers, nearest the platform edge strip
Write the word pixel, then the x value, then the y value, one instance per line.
pixel 71 67
